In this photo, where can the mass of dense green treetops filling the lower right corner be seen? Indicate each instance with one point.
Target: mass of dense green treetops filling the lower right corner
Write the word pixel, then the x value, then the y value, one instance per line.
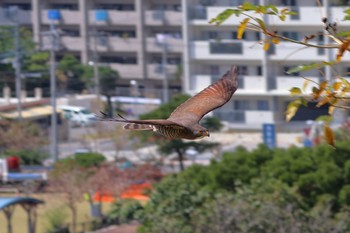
pixel 281 190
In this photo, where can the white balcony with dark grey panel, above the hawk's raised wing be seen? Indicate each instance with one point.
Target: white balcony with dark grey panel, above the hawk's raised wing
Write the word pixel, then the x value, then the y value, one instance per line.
pixel 225 50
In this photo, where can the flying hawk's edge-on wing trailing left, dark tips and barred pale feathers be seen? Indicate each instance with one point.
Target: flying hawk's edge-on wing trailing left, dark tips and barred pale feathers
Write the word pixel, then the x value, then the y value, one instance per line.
pixel 137 124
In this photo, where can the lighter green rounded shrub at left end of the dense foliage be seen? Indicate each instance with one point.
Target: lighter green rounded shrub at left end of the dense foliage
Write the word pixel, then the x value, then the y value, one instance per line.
pixel 171 206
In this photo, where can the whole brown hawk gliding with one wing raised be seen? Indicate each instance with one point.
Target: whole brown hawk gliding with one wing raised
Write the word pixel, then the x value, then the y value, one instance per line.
pixel 184 120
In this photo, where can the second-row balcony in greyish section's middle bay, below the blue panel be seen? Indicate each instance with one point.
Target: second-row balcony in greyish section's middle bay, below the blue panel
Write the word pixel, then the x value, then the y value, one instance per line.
pixel 106 44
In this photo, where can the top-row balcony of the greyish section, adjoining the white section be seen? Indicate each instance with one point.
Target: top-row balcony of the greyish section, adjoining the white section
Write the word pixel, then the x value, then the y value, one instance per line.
pixel 158 17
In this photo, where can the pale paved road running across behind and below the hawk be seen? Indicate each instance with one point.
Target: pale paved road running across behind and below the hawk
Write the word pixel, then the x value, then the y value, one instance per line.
pixel 228 141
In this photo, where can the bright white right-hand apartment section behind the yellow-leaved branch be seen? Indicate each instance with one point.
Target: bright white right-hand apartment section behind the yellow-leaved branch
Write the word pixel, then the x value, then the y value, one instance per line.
pixel 263 93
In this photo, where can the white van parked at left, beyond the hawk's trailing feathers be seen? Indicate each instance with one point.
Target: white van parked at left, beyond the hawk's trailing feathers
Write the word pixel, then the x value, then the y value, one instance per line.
pixel 78 115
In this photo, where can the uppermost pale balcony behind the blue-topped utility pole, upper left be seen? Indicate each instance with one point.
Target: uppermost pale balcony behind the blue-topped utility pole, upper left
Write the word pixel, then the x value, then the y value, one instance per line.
pixel 67 17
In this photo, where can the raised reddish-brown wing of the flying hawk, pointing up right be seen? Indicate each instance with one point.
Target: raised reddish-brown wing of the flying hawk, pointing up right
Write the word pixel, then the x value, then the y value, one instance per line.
pixel 212 97
